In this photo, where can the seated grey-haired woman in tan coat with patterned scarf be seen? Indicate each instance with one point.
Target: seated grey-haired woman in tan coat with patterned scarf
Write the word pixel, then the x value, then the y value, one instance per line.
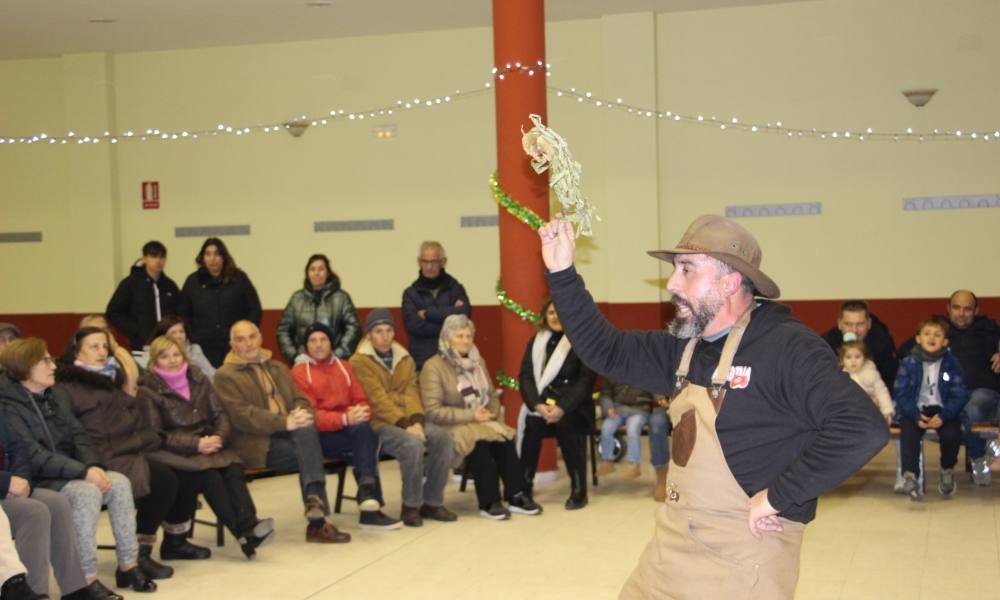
pixel 457 395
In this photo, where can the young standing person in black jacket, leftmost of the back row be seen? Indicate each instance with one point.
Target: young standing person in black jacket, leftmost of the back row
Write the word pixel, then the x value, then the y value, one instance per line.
pixel 144 297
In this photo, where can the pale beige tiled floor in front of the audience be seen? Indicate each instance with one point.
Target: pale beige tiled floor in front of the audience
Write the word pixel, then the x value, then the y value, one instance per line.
pixel 865 543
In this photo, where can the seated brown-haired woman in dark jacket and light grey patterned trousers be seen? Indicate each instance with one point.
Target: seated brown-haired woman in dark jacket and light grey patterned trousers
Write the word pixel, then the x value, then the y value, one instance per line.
pixel 64 459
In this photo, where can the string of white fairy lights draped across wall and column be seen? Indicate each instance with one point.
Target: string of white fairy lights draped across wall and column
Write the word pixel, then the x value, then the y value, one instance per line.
pixel 499 74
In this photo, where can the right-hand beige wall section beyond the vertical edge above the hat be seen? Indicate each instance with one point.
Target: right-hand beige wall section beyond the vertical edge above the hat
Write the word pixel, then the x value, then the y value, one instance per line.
pixel 839 64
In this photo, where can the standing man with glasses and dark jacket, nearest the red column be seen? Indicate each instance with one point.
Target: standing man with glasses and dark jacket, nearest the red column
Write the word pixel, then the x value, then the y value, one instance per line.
pixel 429 300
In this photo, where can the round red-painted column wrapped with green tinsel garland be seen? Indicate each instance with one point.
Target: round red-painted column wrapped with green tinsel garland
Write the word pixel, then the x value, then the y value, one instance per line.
pixel 519 38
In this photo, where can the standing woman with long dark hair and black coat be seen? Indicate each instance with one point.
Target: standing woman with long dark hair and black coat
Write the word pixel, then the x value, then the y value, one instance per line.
pixel 214 297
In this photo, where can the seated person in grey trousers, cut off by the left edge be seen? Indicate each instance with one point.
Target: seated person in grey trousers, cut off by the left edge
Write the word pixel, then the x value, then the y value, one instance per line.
pixel 41 521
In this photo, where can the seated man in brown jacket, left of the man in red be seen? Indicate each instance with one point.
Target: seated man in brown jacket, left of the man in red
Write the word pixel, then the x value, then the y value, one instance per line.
pixel 274 424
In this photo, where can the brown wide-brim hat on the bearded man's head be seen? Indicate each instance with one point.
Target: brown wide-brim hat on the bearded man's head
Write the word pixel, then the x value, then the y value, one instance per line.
pixel 729 242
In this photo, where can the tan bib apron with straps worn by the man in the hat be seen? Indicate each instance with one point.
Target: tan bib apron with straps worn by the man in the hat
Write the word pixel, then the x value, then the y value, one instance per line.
pixel 702 547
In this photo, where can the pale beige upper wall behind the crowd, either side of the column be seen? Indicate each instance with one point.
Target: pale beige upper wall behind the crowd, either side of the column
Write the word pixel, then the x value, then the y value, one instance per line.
pixel 824 64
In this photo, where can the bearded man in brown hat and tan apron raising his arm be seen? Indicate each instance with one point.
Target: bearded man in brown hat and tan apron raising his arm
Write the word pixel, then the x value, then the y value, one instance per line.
pixel 764 420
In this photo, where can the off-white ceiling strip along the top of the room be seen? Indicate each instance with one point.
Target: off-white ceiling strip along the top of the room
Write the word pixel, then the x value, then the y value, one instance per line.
pixel 35 28
